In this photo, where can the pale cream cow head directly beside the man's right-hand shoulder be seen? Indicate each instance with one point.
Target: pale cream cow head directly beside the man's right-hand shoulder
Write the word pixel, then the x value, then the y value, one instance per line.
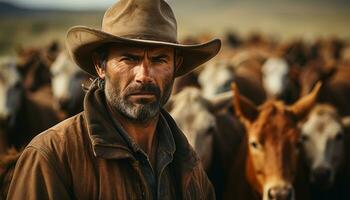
pixel 195 116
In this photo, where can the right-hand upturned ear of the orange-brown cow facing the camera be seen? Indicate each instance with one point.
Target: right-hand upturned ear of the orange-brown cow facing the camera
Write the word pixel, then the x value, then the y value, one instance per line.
pixel 304 105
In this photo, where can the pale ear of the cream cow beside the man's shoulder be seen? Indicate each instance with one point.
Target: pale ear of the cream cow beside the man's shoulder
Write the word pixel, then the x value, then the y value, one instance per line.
pixel 220 102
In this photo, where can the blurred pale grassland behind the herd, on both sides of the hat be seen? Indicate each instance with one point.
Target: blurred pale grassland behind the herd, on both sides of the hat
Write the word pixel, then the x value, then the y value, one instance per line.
pixel 282 19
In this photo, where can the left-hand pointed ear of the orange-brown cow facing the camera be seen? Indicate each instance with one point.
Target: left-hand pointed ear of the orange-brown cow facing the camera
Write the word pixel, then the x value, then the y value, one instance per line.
pixel 243 107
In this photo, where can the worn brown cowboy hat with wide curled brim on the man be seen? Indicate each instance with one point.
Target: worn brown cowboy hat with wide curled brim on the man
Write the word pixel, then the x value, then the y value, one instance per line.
pixel 142 22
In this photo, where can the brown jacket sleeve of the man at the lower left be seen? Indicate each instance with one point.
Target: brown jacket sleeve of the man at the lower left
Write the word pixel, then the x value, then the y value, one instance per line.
pixel 36 177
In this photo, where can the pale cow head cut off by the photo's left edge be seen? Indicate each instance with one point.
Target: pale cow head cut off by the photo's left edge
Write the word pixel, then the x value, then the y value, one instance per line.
pixel 11 91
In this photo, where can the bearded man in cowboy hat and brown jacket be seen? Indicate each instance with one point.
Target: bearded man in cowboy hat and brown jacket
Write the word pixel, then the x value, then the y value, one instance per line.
pixel 123 145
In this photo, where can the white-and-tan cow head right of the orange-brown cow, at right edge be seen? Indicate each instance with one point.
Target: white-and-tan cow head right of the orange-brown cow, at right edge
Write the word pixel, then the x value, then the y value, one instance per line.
pixel 323 141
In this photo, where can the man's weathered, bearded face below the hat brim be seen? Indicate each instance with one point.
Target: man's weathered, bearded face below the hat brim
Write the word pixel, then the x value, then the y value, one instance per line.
pixel 138 80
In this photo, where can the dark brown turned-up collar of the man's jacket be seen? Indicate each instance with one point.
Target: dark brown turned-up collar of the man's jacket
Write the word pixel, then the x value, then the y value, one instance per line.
pixel 107 141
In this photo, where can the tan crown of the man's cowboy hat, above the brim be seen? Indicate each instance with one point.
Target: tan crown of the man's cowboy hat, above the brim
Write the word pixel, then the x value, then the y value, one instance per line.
pixel 141 19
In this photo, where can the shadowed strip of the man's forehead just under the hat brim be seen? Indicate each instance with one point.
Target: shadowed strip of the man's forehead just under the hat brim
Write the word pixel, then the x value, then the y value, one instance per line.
pixel 119 49
